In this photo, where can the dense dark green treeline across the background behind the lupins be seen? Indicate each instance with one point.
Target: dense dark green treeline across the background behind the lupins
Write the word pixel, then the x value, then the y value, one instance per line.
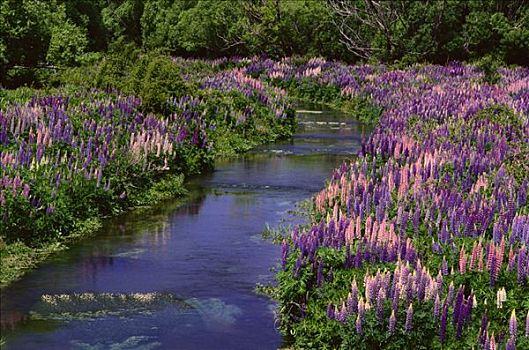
pixel 58 33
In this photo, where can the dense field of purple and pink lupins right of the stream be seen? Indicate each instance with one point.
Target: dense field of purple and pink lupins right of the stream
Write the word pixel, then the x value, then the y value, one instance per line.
pixel 422 240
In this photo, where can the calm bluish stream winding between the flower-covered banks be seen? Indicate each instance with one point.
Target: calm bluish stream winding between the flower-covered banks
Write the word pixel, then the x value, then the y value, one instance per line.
pixel 182 275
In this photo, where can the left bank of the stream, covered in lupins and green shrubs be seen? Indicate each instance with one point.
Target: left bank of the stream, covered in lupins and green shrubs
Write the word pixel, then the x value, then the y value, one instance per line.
pixel 74 154
